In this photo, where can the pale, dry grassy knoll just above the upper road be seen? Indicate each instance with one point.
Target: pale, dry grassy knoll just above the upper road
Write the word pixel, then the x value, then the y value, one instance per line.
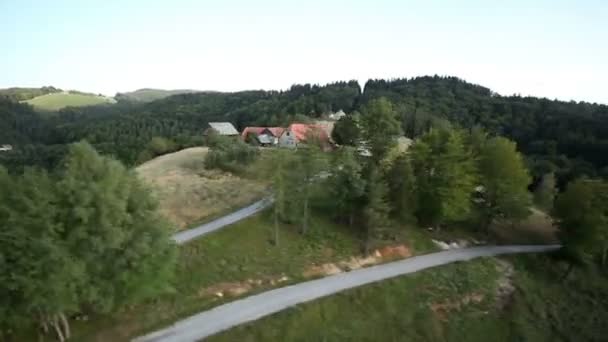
pixel 189 194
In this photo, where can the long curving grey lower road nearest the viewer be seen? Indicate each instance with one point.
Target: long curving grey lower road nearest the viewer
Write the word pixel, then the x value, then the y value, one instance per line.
pixel 254 307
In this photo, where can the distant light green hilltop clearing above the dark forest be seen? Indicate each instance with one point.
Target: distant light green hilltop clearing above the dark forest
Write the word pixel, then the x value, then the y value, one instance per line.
pixel 56 101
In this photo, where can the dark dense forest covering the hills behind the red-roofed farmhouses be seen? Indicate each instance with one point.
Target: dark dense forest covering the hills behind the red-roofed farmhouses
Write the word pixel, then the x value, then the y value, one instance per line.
pixel 568 138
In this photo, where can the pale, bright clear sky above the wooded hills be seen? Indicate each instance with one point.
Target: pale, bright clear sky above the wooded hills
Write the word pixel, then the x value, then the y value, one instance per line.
pixel 555 49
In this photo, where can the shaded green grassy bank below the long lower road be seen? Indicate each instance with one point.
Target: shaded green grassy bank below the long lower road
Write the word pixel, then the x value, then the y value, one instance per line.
pixel 457 302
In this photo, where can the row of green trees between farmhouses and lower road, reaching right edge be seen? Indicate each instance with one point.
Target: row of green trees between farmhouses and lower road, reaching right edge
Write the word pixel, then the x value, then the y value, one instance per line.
pixel 447 177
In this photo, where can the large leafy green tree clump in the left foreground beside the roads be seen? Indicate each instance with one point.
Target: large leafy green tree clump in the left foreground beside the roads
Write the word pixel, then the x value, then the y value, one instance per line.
pixel 84 238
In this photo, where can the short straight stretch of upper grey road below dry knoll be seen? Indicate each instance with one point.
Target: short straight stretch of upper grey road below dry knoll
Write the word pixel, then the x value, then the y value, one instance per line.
pixel 190 234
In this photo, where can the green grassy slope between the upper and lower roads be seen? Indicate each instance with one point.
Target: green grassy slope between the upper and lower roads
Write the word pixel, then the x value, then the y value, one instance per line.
pixel 237 261
